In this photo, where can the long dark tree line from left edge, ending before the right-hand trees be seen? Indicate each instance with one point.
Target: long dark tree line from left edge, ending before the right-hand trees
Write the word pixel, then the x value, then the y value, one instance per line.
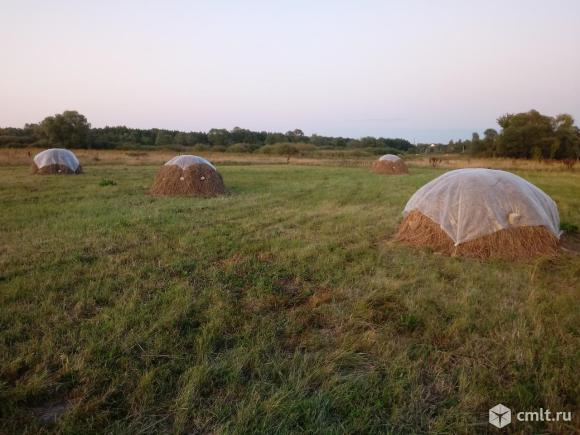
pixel 72 130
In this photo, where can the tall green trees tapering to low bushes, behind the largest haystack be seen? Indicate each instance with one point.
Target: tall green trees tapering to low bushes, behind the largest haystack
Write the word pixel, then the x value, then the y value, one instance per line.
pixel 528 135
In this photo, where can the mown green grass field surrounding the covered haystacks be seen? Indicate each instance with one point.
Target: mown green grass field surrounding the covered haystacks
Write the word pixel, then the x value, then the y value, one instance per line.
pixel 280 307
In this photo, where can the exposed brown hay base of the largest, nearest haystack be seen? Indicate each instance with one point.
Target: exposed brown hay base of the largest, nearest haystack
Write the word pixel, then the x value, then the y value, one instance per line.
pixel 520 243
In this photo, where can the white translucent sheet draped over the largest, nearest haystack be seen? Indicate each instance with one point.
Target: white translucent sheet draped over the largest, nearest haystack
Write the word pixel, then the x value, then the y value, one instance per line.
pixel 472 203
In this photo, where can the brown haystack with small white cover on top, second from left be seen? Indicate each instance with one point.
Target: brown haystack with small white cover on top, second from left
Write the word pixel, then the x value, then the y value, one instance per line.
pixel 190 176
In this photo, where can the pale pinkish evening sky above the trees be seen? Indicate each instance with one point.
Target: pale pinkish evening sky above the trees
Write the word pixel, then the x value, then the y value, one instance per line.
pixel 427 71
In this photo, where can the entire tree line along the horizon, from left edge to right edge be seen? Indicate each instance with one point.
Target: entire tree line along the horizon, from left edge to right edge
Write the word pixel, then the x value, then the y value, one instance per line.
pixel 529 135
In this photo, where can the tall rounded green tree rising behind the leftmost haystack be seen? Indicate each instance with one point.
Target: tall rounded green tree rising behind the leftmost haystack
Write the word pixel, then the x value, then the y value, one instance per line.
pixel 68 129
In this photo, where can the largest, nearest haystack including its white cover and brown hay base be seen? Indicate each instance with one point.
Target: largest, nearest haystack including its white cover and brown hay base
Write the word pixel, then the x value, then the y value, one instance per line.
pixel 482 213
